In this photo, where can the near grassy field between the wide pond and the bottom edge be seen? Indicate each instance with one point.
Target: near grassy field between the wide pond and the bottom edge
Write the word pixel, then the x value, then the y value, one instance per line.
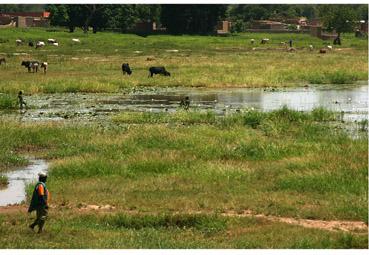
pixel 156 170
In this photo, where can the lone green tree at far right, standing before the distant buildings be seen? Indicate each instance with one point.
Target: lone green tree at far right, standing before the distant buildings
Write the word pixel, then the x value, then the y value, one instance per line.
pixel 339 18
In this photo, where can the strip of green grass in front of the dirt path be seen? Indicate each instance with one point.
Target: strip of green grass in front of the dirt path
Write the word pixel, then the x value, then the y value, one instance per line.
pixel 181 231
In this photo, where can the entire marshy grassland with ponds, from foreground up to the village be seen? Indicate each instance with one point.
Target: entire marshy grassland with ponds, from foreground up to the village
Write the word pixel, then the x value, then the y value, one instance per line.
pixel 264 158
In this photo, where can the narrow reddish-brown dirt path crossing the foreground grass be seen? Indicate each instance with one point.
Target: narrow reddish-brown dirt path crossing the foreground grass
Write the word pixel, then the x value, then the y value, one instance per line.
pixel 335 225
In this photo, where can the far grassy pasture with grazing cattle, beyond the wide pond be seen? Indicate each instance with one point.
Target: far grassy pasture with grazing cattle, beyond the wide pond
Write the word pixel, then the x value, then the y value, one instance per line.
pixel 94 65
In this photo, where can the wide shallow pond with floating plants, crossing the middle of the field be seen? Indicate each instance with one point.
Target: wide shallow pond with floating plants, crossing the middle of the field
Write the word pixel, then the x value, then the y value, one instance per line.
pixel 352 100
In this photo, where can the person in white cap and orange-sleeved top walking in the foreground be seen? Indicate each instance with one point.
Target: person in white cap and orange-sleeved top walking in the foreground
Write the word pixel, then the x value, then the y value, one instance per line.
pixel 40 202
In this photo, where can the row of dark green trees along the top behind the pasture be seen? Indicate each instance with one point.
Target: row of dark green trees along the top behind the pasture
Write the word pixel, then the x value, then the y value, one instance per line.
pixel 190 18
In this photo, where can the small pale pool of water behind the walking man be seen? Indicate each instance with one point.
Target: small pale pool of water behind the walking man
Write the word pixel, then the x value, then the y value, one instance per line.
pixel 15 192
